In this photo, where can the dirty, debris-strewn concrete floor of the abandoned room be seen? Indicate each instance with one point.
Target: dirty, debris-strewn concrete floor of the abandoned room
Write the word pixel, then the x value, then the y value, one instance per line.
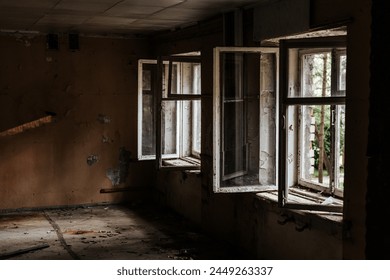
pixel 115 232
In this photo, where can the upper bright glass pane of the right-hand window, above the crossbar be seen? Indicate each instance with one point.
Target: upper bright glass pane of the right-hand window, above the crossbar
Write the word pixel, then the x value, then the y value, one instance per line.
pixel 316 75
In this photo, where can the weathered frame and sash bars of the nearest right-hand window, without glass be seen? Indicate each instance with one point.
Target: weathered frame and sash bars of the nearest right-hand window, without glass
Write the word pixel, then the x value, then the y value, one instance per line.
pixel 289 127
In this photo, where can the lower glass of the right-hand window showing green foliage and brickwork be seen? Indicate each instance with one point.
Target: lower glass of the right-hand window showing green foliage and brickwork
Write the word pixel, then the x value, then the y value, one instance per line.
pixel 321 145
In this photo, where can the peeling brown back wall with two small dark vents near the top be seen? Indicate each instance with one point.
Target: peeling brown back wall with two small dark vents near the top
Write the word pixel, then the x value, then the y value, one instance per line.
pixel 90 94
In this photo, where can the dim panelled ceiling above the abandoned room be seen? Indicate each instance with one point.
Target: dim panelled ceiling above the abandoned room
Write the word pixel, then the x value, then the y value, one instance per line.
pixel 124 17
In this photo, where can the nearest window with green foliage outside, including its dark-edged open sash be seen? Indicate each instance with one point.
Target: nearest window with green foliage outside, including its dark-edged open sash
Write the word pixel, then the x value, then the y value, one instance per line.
pixel 312 127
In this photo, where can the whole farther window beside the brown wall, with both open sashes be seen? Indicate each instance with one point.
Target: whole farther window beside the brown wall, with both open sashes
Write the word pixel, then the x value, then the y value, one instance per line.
pixel 169 110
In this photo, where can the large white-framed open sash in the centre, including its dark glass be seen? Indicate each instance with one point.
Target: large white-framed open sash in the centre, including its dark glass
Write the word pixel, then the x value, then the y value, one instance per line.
pixel 245 119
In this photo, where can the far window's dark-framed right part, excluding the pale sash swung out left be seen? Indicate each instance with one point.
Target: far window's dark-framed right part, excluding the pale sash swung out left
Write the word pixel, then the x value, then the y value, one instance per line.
pixel 179 115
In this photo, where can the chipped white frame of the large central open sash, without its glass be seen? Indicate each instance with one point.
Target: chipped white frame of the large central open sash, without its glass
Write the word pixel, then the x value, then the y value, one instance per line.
pixel 218 175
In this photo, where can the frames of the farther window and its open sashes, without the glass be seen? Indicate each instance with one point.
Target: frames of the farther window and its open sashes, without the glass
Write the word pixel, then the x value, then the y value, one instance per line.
pixel 162 95
